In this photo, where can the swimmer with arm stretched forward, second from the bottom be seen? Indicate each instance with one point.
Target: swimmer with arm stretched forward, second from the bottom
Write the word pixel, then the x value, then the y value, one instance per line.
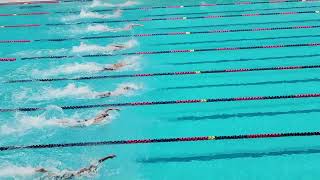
pixel 87 122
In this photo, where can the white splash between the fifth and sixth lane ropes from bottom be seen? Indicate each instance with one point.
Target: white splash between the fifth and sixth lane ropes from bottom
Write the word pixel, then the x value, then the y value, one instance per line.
pixel 105 28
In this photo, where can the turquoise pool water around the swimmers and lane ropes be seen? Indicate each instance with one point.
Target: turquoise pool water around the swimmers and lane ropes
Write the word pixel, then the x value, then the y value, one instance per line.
pixel 289 158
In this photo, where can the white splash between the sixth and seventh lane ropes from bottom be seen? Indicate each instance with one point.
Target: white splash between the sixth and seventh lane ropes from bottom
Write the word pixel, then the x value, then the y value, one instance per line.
pixel 85 14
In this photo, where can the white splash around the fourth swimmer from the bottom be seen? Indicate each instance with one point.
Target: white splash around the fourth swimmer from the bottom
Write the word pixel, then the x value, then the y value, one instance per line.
pixel 130 63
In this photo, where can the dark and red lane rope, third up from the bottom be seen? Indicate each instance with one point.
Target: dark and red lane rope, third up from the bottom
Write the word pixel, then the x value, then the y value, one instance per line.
pixel 282 68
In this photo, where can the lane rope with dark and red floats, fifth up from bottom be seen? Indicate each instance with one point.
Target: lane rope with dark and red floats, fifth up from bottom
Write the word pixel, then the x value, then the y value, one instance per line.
pixel 217 31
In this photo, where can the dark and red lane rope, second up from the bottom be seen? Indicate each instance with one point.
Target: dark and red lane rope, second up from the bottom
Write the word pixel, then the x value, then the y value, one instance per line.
pixel 154 103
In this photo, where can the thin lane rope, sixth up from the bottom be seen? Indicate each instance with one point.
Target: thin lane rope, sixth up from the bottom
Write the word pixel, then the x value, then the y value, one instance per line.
pixel 180 18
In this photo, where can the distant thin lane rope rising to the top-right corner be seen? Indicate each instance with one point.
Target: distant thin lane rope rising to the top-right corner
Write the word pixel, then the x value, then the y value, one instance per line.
pixel 245 3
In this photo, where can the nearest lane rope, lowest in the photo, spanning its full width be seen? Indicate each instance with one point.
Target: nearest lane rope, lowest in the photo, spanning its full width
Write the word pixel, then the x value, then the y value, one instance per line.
pixel 162 140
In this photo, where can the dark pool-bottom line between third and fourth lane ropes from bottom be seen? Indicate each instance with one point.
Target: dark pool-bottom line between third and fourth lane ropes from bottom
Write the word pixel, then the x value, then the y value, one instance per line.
pixel 245 59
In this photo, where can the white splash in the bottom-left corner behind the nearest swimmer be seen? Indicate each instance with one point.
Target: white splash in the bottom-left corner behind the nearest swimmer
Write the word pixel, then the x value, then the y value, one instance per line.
pixel 13 171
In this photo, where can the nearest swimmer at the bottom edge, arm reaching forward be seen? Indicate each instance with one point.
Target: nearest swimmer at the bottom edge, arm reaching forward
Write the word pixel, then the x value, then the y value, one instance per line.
pixel 72 174
